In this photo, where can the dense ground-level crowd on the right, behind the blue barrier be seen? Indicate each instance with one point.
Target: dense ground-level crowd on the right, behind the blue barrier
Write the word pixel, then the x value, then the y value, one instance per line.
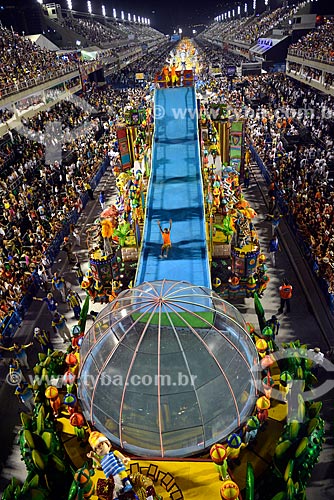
pixel 301 169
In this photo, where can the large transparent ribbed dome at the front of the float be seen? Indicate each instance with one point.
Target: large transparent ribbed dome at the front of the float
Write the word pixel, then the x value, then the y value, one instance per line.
pixel 166 370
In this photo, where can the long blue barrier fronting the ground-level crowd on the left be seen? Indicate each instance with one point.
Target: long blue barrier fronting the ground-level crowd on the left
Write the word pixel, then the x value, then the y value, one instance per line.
pixel 9 327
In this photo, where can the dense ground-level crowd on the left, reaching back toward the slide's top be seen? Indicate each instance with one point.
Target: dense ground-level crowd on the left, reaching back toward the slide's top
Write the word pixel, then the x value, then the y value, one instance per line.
pixel 37 197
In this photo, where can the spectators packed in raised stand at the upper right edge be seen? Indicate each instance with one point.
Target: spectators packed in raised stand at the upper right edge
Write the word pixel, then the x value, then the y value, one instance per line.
pixel 316 45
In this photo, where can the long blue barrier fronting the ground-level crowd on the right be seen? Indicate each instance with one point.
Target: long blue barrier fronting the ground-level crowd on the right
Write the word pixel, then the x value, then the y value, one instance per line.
pixel 304 247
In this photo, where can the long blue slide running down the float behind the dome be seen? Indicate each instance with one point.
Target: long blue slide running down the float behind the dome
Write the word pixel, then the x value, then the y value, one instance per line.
pixel 175 192
